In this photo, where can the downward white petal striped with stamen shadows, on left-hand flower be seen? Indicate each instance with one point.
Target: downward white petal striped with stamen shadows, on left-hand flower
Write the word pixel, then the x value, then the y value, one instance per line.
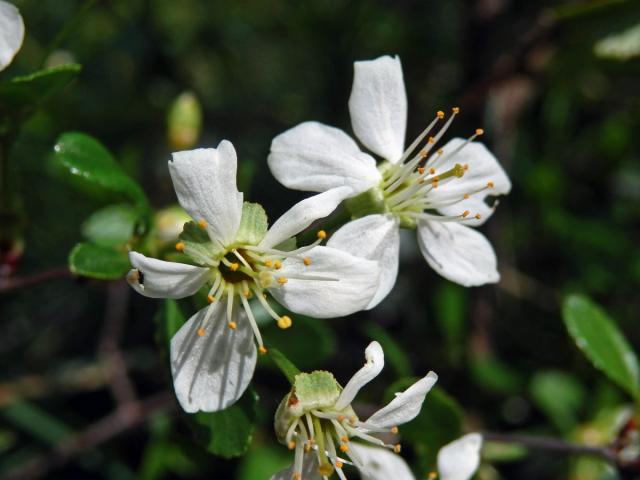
pixel 212 371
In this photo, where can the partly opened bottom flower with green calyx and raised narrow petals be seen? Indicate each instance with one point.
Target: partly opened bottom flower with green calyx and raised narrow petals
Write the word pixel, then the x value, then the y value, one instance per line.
pixel 317 421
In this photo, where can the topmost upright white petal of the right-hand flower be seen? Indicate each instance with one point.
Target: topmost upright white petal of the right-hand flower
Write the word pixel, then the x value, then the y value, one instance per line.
pixel 378 106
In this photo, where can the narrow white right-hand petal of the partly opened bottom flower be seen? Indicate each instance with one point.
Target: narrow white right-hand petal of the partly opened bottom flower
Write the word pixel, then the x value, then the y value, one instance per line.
pixel 405 406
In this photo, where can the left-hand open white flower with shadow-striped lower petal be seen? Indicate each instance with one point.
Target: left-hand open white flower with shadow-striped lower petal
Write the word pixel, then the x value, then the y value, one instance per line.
pixel 213 355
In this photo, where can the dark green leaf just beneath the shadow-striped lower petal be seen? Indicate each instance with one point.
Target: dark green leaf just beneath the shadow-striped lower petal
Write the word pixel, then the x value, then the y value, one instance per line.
pixel 227 433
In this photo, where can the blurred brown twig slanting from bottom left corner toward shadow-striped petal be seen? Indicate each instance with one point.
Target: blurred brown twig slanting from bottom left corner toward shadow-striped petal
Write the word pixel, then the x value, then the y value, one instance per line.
pixel 114 424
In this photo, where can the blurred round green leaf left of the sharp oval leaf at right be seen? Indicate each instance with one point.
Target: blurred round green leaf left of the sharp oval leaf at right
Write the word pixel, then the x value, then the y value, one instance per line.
pixel 560 396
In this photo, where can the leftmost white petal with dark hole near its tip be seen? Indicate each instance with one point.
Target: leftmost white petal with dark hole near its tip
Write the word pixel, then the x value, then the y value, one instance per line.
pixel 158 279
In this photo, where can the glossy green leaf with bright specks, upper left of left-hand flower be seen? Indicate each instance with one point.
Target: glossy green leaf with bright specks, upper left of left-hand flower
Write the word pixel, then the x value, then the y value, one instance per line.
pixel 87 165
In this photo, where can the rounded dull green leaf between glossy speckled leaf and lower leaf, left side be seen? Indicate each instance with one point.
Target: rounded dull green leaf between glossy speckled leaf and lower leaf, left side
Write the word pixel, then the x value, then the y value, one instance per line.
pixel 111 226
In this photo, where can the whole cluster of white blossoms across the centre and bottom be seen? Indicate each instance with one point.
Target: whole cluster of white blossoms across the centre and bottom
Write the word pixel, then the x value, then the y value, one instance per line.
pixel 240 261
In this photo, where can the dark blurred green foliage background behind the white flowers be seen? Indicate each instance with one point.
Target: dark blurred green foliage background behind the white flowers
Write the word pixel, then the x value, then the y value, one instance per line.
pixel 554 84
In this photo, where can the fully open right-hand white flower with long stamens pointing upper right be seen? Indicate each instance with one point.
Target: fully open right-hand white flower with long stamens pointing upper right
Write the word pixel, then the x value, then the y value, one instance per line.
pixel 440 193
